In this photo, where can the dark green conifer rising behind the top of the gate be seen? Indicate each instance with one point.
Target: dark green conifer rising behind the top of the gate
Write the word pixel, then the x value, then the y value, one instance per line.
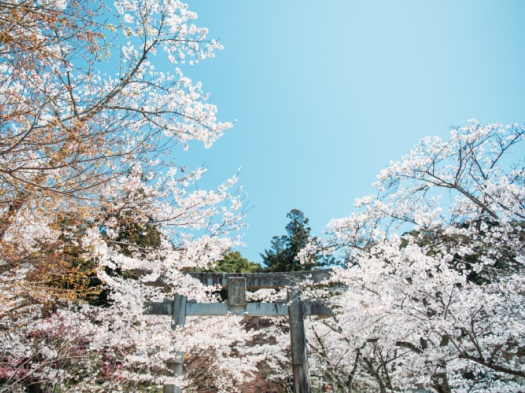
pixel 281 257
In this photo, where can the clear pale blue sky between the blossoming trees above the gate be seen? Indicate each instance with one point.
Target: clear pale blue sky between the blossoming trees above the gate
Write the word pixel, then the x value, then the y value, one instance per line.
pixel 327 93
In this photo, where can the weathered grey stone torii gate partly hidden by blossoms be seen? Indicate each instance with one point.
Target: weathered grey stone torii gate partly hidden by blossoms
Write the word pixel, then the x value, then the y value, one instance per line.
pixel 236 283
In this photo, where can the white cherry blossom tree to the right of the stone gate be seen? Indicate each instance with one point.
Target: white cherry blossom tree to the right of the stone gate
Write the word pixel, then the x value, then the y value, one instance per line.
pixel 432 293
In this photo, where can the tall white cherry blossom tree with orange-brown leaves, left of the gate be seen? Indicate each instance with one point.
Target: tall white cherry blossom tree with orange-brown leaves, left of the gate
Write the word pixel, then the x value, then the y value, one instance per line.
pixel 91 194
